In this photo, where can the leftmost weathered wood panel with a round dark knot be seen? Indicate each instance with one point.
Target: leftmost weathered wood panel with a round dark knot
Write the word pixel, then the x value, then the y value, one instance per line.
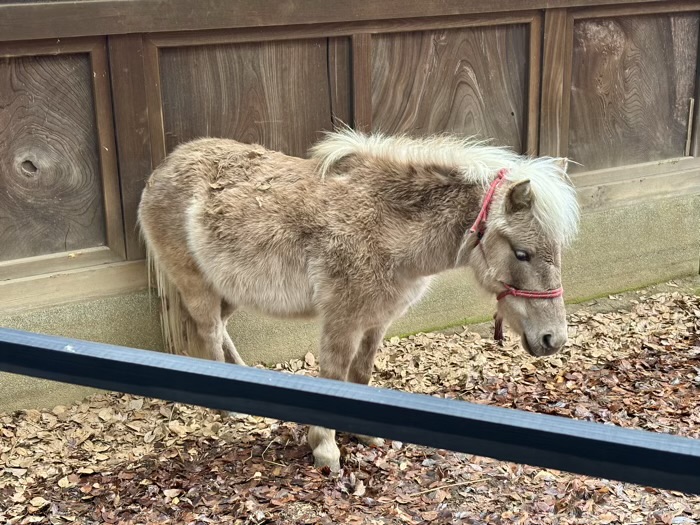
pixel 50 183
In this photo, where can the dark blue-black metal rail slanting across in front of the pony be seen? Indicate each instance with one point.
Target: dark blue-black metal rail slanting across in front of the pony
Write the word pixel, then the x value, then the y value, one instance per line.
pixel 646 458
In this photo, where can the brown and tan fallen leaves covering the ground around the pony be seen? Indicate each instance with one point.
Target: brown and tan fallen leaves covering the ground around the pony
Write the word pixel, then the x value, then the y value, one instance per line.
pixel 123 459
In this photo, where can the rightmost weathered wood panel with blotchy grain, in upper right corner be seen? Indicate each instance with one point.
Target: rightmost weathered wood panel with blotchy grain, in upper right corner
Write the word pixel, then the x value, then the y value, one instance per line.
pixel 632 82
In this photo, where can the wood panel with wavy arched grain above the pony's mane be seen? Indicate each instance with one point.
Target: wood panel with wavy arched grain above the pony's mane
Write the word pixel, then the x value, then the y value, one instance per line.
pixel 471 81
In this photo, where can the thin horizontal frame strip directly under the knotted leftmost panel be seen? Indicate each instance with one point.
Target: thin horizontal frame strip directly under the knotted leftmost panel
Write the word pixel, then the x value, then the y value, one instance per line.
pixel 56 262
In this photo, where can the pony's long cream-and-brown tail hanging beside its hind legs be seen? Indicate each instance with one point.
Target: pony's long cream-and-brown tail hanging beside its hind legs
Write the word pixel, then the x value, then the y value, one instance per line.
pixel 177 327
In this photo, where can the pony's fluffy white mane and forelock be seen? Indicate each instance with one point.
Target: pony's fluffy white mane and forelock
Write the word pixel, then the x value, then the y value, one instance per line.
pixel 555 206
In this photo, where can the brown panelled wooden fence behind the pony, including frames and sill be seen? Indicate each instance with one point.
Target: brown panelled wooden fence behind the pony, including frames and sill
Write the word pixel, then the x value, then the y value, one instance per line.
pixel 94 93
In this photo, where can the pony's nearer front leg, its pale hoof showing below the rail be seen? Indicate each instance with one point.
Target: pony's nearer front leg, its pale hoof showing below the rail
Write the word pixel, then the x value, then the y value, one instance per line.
pixel 339 343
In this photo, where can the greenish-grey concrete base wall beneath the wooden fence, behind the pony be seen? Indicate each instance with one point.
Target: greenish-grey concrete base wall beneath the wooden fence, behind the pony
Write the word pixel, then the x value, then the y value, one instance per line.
pixel 619 249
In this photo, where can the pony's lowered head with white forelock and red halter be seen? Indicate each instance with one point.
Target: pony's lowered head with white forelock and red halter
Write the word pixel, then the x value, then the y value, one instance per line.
pixel 528 215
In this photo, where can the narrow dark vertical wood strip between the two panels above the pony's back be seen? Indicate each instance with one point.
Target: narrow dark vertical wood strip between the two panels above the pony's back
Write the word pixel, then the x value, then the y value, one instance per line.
pixel 340 80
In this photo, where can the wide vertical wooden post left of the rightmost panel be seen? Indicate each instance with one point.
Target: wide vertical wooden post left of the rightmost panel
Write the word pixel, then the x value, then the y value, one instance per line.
pixel 555 62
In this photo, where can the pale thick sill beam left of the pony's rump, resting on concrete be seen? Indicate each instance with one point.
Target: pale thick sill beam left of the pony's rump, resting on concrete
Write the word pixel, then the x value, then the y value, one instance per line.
pixel 41 291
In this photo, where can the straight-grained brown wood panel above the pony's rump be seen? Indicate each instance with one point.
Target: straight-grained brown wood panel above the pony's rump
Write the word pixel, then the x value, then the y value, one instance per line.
pixel 273 93
